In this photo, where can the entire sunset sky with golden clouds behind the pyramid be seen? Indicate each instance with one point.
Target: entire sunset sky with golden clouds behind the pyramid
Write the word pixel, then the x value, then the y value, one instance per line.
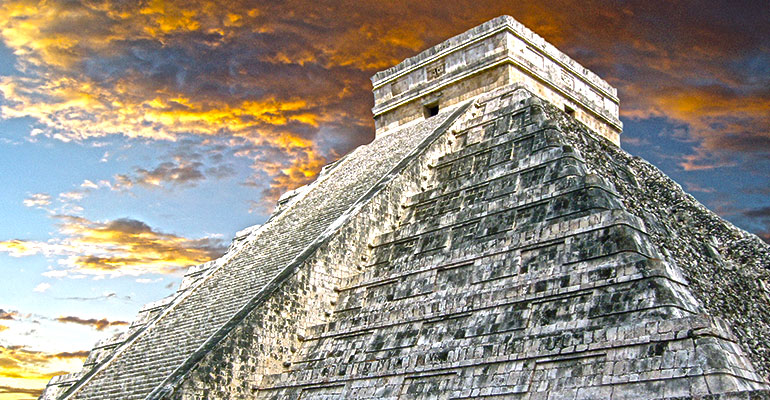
pixel 137 137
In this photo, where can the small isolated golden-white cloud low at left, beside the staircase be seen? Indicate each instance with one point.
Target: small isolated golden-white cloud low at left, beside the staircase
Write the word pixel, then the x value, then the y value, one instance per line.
pixel 116 248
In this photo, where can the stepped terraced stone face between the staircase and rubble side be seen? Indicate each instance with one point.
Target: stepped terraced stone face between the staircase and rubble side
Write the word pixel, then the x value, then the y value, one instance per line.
pixel 515 273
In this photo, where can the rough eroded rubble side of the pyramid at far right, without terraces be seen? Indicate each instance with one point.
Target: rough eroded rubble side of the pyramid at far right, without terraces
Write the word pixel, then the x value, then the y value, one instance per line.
pixel 727 268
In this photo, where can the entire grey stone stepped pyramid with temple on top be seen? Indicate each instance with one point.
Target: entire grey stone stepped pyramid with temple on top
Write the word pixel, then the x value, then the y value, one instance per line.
pixel 493 241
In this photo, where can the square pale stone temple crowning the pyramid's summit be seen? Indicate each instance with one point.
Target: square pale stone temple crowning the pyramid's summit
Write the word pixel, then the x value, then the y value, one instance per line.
pixel 494 54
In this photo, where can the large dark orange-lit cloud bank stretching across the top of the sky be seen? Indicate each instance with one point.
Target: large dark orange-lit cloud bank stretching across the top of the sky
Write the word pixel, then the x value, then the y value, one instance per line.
pixel 272 79
